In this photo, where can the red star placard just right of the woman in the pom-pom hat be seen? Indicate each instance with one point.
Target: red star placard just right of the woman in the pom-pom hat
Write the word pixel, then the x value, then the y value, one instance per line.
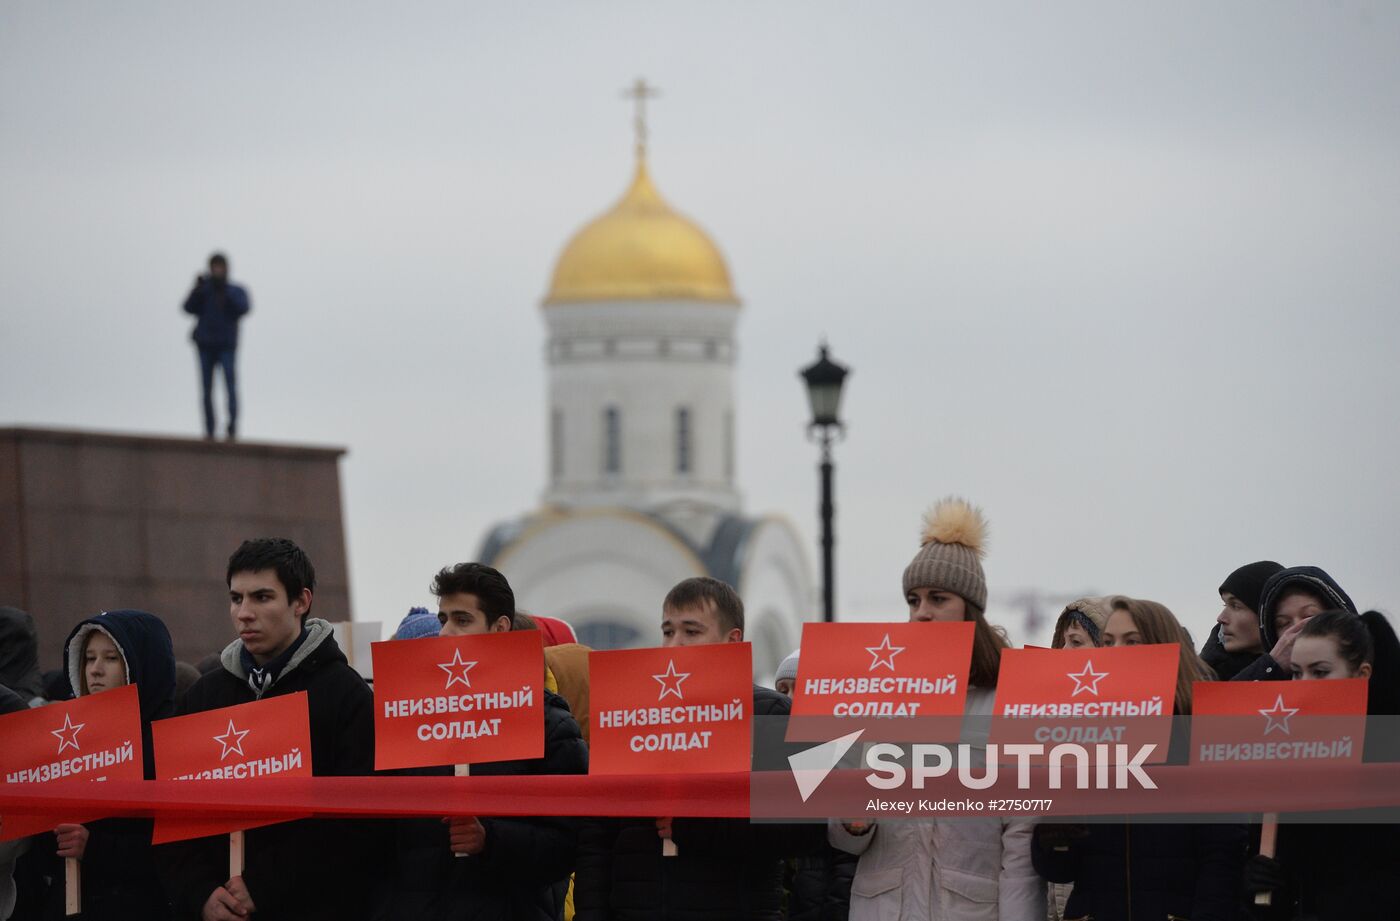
pixel 1090 696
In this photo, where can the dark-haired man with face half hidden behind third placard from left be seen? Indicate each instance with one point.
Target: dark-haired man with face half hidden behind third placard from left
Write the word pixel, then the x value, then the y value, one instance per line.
pixel 512 869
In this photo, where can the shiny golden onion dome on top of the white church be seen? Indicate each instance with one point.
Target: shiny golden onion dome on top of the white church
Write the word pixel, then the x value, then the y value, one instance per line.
pixel 640 251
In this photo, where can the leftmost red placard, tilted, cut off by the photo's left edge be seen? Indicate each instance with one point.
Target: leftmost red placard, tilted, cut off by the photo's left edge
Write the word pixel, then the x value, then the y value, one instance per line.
pixel 97 737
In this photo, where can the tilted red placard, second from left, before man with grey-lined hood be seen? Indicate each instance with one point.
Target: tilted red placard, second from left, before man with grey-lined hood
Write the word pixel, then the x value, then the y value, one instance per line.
pixel 267 738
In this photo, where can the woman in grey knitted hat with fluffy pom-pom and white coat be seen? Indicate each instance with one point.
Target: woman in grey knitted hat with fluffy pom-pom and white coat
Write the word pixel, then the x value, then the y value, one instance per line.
pixel 948 870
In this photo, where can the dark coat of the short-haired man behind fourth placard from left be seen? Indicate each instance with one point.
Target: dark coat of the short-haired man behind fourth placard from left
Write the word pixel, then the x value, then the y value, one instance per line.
pixel 727 870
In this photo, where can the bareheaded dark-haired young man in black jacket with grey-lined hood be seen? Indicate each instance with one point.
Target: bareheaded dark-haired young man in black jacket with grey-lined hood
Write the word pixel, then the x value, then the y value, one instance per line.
pixel 313 869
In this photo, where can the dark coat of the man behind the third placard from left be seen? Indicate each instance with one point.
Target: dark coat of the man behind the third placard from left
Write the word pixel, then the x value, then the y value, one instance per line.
pixel 521 876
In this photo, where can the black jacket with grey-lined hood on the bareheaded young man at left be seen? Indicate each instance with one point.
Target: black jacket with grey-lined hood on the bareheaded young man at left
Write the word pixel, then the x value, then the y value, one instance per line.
pixel 297 871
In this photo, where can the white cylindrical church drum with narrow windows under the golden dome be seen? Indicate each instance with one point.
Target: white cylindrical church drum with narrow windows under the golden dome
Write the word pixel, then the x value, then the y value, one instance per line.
pixel 647 360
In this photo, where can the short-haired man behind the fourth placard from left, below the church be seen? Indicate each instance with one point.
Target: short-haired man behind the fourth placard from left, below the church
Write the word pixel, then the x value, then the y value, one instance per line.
pixel 729 870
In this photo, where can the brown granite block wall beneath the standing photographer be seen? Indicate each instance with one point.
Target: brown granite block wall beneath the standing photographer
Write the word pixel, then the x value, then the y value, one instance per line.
pixel 99 521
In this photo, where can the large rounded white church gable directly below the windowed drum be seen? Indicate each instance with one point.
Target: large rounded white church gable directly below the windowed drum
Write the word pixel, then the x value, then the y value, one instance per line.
pixel 598 568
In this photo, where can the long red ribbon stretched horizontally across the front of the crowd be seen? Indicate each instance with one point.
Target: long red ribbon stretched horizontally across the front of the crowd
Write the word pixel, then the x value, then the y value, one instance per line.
pixel 1185 790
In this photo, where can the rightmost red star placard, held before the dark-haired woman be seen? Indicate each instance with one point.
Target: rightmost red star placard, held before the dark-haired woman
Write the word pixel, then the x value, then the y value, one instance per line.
pixel 1297 722
